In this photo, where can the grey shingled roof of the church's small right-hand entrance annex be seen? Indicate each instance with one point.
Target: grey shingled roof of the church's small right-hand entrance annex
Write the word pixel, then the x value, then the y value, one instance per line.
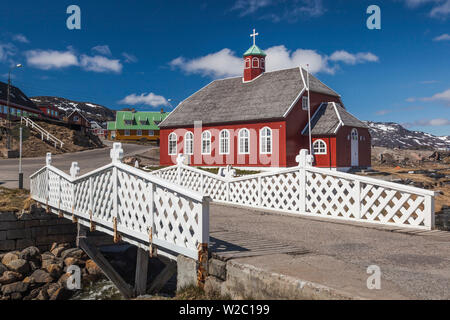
pixel 329 117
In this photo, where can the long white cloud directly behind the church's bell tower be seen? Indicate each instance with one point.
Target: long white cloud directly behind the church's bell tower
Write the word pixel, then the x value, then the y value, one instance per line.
pixel 225 63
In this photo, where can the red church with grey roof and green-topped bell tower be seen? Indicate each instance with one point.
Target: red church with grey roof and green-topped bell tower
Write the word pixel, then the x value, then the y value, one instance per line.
pixel 261 120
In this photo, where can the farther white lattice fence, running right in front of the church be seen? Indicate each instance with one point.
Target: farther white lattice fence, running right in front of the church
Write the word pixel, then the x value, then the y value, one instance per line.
pixel 314 191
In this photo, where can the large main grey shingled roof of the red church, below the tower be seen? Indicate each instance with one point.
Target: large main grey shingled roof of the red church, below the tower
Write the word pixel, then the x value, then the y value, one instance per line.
pixel 230 100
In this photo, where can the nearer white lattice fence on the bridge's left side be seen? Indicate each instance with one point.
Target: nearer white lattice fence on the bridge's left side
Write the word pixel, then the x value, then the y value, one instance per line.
pixel 126 202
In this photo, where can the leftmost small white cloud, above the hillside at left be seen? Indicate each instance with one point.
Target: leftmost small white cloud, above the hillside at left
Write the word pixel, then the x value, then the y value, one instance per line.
pixel 51 59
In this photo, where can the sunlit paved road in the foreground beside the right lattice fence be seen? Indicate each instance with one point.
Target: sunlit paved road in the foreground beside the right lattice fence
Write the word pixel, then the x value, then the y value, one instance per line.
pixel 412 266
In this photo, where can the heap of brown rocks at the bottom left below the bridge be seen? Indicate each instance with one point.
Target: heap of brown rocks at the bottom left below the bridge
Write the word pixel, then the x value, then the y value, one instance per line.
pixel 32 275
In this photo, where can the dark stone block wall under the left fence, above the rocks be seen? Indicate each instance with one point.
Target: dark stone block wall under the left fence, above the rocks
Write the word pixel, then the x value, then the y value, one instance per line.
pixel 36 228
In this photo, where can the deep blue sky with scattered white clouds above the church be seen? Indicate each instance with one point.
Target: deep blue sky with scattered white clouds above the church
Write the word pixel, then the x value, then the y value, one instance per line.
pixel 143 53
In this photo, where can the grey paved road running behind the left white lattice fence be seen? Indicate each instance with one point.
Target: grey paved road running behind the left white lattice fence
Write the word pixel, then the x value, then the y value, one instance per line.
pixel 87 160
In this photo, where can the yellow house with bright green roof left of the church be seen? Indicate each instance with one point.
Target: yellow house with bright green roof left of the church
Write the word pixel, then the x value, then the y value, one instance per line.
pixel 136 125
